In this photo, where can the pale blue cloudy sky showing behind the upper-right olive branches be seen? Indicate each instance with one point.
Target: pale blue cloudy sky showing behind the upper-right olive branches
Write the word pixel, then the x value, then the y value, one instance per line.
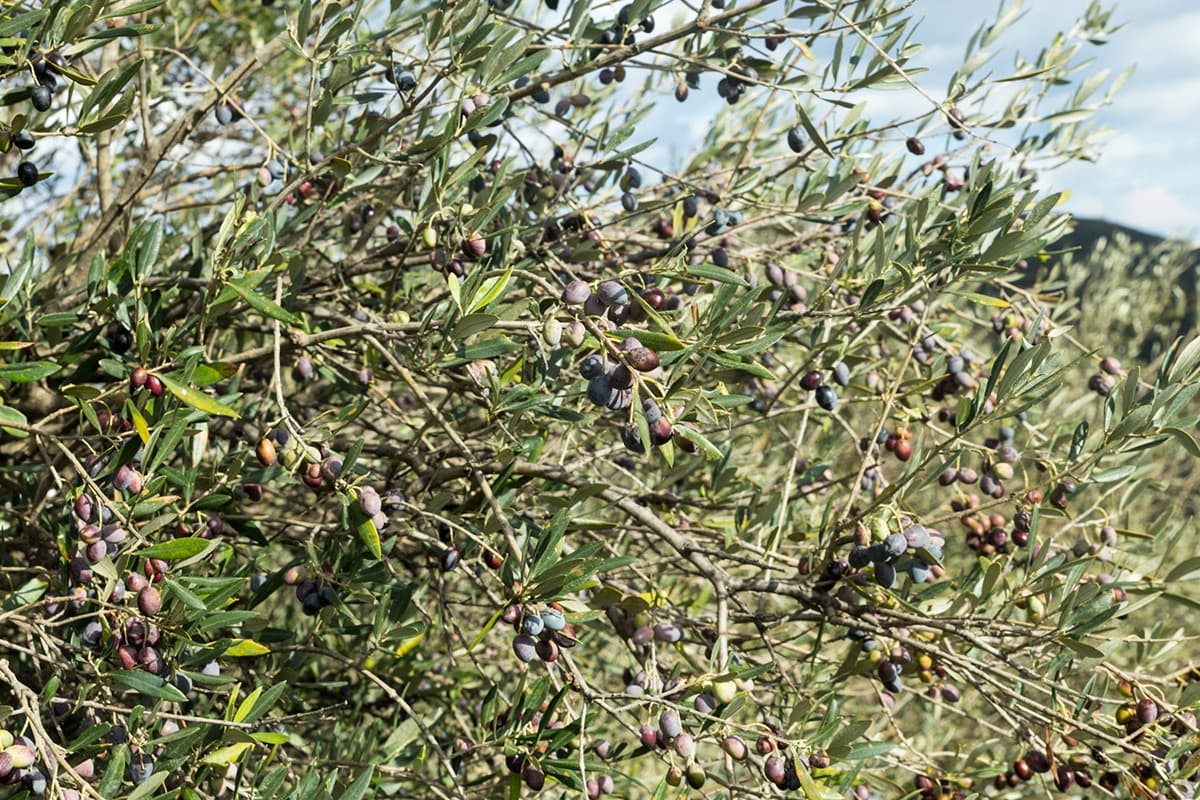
pixel 1148 172
